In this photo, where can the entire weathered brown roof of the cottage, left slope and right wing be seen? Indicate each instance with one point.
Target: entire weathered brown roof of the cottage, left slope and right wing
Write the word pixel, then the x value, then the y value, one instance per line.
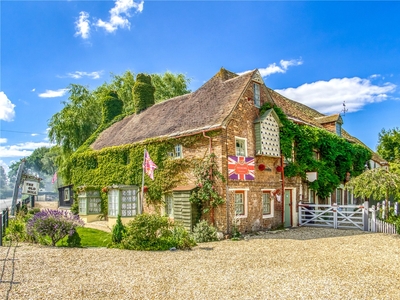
pixel 207 108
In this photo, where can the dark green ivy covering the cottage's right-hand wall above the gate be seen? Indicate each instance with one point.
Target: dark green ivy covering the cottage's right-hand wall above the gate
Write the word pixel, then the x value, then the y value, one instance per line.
pixel 337 156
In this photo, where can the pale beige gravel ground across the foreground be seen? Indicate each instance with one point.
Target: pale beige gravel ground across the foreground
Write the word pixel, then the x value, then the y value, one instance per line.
pixel 303 263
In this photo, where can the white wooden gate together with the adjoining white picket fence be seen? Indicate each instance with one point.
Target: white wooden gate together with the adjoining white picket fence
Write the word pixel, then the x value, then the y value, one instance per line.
pixel 347 217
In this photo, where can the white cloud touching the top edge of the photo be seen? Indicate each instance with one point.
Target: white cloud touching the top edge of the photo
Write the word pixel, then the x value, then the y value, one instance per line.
pixel 119 15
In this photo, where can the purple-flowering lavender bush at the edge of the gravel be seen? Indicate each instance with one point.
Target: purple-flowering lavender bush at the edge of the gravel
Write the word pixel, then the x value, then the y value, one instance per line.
pixel 53 225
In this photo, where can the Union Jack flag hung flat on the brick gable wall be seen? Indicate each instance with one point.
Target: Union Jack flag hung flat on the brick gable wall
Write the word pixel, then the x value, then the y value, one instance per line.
pixel 241 168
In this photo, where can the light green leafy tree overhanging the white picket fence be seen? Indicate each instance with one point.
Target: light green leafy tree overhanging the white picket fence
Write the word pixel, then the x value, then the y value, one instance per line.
pixel 376 183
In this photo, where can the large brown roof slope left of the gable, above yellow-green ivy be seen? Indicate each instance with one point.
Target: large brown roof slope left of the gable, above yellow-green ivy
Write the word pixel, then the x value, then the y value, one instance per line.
pixel 205 109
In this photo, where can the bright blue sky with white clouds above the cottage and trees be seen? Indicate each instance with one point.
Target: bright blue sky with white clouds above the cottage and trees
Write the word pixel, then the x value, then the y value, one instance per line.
pixel 315 52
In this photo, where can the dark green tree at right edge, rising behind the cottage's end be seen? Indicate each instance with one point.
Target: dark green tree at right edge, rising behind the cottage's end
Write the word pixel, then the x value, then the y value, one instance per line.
pixel 389 144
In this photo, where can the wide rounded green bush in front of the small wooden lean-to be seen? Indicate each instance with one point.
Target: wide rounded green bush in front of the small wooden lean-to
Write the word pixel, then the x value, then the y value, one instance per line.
pixel 154 232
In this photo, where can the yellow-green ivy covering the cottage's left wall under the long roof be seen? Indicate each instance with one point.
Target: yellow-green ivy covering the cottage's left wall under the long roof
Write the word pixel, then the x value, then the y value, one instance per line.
pixel 122 165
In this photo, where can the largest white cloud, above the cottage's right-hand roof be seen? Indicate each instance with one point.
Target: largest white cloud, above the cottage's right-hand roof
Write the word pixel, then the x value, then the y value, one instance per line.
pixel 327 96
